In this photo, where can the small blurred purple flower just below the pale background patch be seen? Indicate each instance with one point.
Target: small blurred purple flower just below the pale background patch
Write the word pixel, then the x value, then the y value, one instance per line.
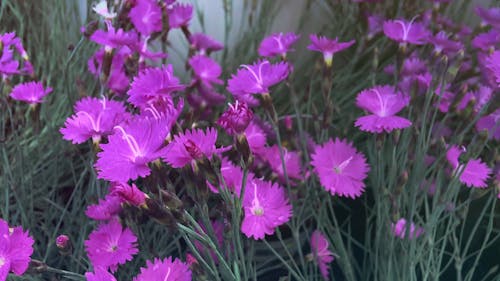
pixel 206 70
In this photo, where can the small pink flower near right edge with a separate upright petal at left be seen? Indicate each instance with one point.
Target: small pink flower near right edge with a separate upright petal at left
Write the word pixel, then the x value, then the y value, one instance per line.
pixel 474 173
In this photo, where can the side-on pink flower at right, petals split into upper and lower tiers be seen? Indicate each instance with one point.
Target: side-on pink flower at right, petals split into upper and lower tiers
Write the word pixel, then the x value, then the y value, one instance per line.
pixel 383 102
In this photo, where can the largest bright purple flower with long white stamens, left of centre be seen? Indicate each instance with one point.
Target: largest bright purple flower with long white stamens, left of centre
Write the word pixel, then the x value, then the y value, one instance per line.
pixel 130 148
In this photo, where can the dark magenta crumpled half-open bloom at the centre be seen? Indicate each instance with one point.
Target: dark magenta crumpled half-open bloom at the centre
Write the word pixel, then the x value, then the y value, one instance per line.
pixel 236 118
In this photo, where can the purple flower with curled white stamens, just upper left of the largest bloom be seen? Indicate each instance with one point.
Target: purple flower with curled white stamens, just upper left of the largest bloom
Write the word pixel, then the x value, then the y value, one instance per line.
pixel 94 118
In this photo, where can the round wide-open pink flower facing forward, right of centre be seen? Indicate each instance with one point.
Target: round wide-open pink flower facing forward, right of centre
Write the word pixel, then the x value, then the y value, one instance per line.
pixel 340 168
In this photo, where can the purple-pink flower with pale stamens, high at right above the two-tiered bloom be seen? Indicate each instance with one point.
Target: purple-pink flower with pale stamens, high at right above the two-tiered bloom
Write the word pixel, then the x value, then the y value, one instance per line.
pixel 404 32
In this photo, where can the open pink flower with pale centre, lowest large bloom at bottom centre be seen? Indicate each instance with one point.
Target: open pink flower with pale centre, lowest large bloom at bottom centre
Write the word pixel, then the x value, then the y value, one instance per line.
pixel 266 208
